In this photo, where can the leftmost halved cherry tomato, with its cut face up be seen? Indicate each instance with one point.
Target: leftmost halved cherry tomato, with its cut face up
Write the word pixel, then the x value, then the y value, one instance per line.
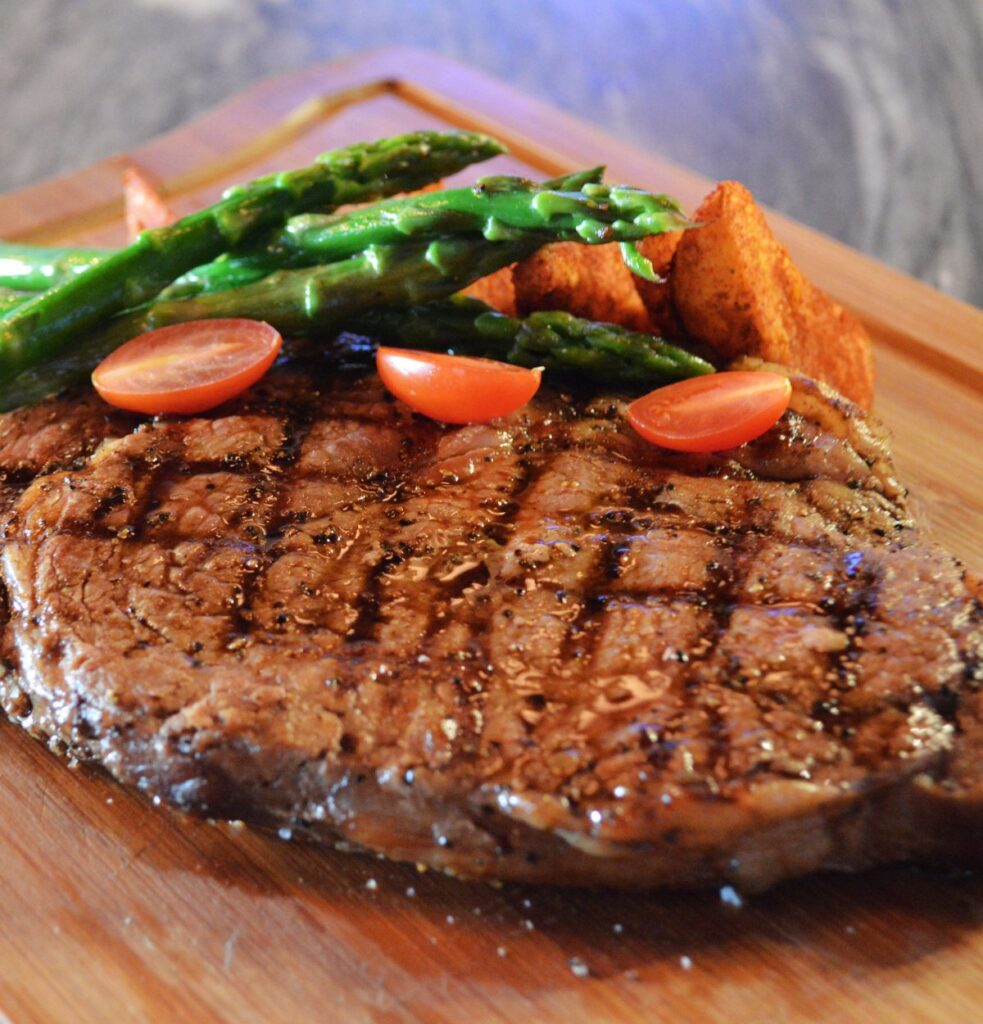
pixel 188 368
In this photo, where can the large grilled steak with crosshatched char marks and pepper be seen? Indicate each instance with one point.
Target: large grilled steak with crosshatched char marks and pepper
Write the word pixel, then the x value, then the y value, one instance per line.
pixel 541 651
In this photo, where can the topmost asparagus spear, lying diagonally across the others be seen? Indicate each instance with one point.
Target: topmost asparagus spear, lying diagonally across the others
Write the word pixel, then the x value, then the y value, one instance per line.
pixel 44 327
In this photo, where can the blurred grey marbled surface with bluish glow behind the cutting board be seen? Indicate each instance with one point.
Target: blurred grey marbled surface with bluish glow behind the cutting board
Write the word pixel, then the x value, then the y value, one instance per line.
pixel 863 118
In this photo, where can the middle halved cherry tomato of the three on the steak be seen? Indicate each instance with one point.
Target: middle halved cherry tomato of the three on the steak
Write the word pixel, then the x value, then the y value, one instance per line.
pixel 456 389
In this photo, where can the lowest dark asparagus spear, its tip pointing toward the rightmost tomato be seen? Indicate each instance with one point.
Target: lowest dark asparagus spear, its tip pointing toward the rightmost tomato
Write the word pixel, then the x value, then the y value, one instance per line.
pixel 605 353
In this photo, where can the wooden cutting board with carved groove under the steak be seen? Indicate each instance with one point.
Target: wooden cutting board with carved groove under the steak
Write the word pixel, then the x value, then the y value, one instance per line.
pixel 114 911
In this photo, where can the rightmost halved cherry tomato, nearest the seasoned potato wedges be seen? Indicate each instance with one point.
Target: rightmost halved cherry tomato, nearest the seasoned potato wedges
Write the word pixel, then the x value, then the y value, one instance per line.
pixel 708 414
